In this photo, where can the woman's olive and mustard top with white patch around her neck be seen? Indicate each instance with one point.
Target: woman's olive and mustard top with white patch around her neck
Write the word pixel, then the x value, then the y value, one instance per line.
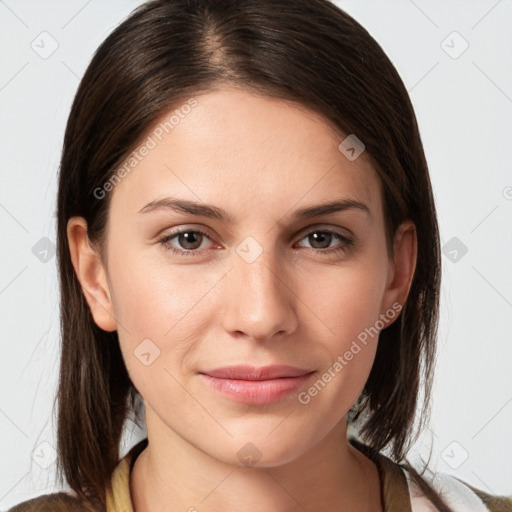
pixel 398 494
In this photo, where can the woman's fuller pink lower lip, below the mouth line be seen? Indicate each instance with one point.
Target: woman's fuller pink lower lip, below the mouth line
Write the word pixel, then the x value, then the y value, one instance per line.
pixel 256 392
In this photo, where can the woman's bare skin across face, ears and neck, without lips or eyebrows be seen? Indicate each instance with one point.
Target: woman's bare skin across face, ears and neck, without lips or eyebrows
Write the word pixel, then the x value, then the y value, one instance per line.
pixel 259 159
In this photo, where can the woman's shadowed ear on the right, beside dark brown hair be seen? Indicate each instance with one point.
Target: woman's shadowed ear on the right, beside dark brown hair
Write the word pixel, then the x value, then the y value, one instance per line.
pixel 401 270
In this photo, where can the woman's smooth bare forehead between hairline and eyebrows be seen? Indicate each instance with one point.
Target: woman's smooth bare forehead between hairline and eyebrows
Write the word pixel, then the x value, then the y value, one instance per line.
pixel 236 148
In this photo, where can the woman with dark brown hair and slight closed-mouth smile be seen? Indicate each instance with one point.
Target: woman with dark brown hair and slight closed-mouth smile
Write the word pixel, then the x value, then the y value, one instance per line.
pixel 248 243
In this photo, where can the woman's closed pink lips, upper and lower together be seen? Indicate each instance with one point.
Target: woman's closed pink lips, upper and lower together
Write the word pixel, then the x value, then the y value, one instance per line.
pixel 251 385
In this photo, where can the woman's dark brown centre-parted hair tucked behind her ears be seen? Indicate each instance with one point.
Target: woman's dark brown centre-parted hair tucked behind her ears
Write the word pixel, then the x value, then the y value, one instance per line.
pixel 307 51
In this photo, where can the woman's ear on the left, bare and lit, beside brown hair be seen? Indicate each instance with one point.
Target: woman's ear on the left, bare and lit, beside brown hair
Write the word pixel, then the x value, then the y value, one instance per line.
pixel 91 274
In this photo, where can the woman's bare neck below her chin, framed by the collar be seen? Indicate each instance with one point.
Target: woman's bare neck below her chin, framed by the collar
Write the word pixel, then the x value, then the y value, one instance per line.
pixel 172 474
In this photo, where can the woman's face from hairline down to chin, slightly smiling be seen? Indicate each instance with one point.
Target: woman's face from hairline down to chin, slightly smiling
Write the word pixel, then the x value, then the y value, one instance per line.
pixel 265 286
